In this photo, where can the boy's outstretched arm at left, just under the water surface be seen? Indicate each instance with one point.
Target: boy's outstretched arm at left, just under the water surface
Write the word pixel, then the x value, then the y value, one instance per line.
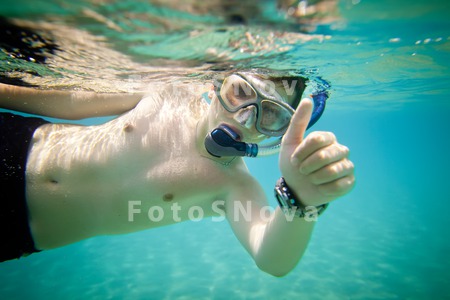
pixel 65 104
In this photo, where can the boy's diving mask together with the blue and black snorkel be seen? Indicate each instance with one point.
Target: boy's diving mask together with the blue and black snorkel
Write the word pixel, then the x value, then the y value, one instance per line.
pixel 273 116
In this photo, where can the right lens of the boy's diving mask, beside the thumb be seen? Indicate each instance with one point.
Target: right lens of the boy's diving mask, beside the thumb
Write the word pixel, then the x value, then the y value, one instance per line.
pixel 274 118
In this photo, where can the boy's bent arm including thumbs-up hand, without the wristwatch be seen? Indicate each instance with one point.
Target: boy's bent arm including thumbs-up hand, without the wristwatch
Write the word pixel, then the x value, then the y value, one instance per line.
pixel 316 170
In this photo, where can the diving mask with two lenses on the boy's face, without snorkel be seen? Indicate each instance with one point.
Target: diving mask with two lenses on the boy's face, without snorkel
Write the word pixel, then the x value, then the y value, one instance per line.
pixel 273 113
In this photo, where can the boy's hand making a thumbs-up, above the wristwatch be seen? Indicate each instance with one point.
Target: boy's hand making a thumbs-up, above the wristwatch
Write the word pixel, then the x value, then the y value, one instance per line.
pixel 316 167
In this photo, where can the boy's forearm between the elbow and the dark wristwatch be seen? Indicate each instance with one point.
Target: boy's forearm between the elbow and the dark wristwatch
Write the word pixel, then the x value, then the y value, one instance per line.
pixel 283 243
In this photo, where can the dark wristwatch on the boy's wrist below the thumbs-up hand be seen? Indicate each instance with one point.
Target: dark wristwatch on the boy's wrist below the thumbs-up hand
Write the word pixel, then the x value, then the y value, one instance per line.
pixel 289 203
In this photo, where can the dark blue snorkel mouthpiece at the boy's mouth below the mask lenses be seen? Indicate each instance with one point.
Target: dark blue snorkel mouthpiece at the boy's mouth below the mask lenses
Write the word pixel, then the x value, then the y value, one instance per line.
pixel 222 141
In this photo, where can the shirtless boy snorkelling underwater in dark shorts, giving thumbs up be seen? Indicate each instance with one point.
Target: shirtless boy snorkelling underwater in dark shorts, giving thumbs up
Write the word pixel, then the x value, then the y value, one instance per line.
pixel 155 163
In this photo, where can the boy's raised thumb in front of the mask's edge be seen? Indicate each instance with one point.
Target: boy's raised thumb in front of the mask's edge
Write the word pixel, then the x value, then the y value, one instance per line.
pixel 299 123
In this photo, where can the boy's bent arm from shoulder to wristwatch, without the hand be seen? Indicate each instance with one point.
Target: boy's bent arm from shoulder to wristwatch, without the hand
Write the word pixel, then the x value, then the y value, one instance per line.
pixel 276 242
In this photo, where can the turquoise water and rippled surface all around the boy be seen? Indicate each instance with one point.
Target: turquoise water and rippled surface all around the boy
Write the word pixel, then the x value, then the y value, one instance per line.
pixel 386 68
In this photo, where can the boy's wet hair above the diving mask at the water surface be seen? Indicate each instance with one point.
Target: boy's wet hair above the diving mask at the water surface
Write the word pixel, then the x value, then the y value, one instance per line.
pixel 289 85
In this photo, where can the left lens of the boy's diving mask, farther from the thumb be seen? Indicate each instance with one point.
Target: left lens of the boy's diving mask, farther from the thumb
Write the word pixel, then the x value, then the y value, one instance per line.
pixel 236 92
